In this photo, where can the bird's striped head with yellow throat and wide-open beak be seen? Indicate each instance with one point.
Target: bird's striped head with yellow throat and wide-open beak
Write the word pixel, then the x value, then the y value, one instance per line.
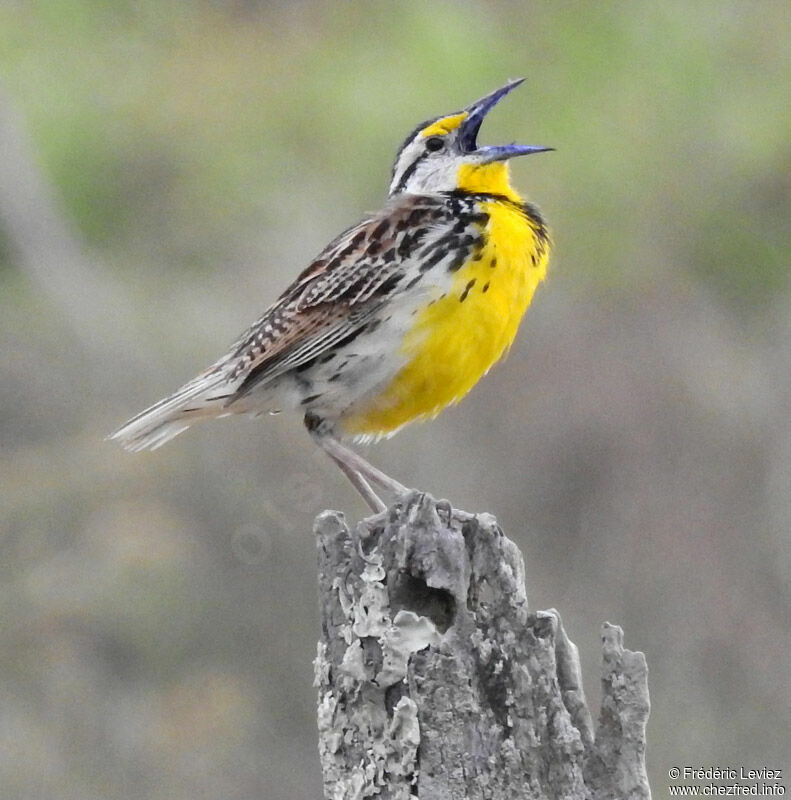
pixel 443 155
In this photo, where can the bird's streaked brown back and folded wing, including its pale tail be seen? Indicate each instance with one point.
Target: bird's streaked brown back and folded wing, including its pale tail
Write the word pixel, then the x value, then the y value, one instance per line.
pixel 331 302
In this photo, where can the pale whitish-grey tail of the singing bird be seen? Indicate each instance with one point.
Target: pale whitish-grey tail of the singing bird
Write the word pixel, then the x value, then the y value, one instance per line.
pixel 202 398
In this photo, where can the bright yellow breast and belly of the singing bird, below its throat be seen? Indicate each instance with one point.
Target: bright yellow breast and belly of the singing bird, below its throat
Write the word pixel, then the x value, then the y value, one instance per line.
pixel 457 338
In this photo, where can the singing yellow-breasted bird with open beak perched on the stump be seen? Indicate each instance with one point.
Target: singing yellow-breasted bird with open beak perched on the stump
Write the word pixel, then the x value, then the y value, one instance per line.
pixel 397 318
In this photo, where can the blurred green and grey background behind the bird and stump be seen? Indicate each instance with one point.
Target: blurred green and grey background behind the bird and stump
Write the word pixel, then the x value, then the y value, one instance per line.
pixel 167 167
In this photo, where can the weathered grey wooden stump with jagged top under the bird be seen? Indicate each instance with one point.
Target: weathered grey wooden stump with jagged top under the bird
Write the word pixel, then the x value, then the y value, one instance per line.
pixel 436 681
